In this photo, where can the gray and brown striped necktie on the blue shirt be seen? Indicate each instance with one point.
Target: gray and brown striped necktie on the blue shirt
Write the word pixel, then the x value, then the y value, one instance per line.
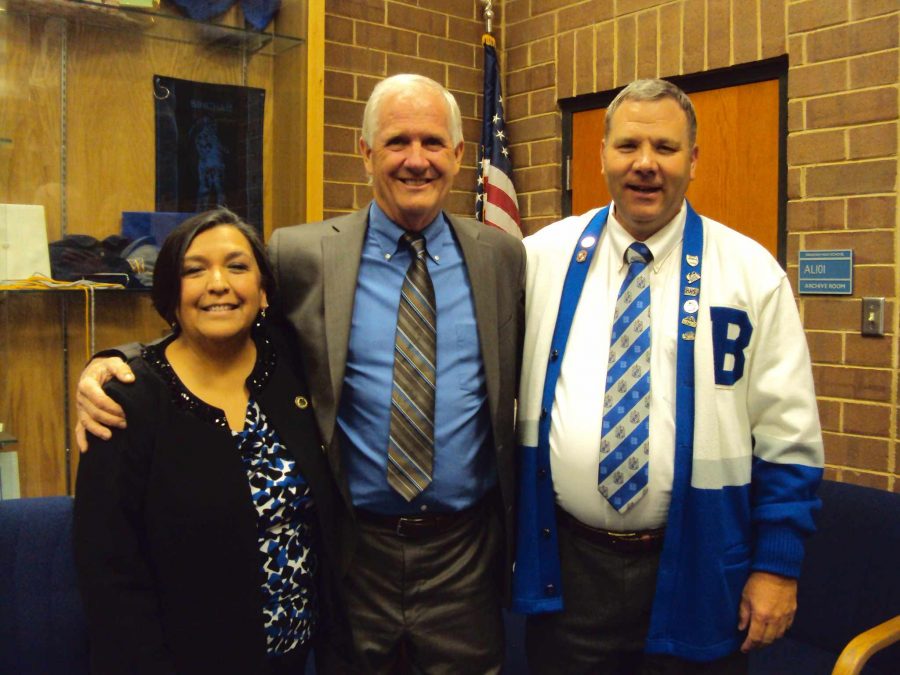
pixel 411 443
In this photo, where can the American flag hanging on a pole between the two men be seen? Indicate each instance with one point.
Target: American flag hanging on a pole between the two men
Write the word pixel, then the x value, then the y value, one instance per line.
pixel 495 201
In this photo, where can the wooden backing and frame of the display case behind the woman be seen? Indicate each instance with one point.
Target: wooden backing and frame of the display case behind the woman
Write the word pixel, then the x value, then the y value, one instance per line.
pixel 79 123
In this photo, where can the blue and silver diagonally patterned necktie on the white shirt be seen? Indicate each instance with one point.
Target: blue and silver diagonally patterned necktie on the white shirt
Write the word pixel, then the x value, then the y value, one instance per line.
pixel 625 445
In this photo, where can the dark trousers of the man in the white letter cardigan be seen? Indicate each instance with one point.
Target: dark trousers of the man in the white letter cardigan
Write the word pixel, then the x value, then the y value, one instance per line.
pixel 607 598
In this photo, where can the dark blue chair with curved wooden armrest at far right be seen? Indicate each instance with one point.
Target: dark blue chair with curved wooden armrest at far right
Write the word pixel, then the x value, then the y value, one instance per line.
pixel 850 584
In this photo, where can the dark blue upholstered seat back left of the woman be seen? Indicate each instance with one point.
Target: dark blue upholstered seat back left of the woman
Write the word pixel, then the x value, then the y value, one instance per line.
pixel 42 625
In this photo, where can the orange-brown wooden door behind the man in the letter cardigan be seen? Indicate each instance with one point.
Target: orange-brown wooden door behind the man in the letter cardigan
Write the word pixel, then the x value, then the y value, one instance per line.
pixel 737 168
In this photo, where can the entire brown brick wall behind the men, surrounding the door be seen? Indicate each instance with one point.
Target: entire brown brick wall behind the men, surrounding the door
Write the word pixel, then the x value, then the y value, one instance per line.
pixel 842 145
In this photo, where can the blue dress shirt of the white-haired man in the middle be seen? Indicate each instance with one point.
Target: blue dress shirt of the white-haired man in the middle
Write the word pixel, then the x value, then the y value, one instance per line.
pixel 464 466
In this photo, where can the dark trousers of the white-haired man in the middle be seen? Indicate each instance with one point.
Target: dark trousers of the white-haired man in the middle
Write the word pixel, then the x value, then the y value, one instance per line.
pixel 429 605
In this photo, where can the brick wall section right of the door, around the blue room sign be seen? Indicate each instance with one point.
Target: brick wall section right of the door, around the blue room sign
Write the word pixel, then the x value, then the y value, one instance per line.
pixel 842 164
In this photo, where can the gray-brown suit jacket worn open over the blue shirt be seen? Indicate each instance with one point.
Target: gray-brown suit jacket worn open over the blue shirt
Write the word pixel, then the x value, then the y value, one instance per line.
pixel 316 266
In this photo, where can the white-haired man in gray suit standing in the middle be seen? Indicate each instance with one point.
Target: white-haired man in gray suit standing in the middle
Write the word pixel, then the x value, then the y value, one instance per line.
pixel 425 573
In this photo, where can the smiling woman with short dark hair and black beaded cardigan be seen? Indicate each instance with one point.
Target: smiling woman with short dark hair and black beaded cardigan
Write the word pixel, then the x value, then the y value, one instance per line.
pixel 203 529
